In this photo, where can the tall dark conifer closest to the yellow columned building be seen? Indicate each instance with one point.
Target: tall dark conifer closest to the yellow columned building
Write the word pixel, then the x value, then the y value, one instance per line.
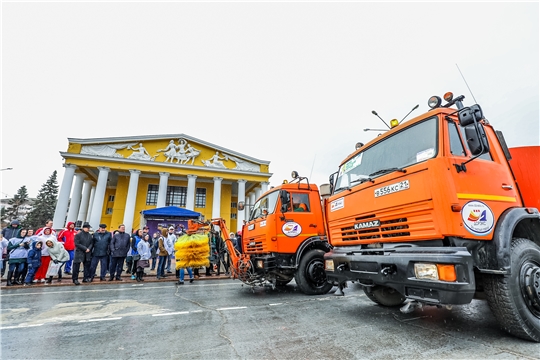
pixel 44 205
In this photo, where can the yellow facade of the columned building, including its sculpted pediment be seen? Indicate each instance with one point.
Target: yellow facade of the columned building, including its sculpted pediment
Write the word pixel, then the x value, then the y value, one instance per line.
pixel 152 155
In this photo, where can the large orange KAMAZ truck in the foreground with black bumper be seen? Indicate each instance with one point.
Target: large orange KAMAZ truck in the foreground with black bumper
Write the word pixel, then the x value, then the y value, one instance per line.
pixel 438 210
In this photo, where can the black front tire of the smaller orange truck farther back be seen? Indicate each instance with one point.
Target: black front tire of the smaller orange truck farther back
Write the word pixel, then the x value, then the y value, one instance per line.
pixel 310 276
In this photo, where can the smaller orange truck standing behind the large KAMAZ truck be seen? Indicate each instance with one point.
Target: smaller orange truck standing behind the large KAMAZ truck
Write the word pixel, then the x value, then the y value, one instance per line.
pixel 285 238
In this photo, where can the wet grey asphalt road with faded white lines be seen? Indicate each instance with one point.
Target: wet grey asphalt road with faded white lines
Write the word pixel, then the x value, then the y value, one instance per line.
pixel 221 319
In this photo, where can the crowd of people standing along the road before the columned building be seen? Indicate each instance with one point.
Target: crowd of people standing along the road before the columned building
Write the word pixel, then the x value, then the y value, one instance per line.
pixel 32 257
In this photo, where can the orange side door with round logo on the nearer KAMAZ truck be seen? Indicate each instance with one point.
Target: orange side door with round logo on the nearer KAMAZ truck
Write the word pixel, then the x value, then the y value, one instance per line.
pixel 485 189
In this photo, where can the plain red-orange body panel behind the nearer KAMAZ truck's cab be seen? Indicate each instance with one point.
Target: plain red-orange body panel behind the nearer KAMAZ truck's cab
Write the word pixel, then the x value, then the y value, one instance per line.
pixel 525 164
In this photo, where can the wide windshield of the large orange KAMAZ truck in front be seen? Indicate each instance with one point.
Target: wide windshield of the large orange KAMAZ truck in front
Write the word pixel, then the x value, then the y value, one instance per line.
pixel 412 145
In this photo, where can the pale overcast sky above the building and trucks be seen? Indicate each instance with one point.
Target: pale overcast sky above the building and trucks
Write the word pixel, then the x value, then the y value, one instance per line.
pixel 290 83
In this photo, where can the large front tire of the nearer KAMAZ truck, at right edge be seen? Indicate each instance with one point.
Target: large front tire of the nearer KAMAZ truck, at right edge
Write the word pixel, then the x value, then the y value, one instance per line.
pixel 515 299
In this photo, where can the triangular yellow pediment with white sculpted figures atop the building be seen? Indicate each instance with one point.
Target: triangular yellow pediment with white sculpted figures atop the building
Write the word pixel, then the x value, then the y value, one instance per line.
pixel 179 149
